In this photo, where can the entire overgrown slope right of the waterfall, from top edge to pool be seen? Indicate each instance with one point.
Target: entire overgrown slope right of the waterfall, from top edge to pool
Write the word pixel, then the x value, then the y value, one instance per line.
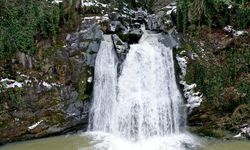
pixel 222 75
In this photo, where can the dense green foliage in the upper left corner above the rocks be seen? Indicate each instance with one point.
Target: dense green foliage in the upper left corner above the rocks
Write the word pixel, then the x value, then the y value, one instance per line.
pixel 24 22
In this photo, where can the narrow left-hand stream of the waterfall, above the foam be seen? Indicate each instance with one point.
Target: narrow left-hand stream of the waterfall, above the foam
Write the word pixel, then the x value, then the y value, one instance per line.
pixel 104 96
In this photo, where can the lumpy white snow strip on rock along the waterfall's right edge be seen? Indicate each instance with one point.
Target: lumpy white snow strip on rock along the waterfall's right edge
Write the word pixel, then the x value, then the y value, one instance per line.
pixel 194 99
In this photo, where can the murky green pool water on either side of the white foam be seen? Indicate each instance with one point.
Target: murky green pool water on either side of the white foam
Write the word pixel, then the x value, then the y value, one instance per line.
pixel 81 142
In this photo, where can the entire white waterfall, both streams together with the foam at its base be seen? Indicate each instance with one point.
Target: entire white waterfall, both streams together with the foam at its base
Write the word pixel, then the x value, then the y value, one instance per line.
pixel 142 109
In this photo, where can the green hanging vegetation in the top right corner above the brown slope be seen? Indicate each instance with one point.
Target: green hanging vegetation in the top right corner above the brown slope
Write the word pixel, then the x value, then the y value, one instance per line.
pixel 217 13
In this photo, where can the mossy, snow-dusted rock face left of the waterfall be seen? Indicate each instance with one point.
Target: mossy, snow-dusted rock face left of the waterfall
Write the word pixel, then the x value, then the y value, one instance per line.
pixel 54 97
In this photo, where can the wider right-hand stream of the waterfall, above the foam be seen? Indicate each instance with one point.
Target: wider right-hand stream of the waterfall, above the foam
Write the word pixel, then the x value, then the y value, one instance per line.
pixel 148 97
